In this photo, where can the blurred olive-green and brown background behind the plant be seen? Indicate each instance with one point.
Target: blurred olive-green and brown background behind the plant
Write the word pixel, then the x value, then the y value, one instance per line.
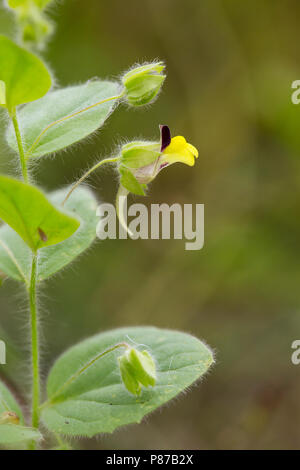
pixel 230 68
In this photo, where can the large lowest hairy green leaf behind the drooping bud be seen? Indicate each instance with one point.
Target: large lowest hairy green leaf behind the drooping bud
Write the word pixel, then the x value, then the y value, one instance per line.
pixel 96 400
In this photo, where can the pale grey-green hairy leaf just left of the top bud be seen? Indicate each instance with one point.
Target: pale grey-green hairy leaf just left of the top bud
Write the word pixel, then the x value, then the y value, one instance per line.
pixel 55 121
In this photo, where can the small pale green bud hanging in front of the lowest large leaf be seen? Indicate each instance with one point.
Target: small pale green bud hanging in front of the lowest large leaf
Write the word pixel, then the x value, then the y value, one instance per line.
pixel 137 369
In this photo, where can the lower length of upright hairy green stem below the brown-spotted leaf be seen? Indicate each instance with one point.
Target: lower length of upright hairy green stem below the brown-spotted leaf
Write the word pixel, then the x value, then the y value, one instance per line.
pixel 34 344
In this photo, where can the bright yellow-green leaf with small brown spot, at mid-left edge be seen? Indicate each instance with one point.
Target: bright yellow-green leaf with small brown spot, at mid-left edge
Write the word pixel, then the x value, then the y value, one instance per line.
pixel 26 210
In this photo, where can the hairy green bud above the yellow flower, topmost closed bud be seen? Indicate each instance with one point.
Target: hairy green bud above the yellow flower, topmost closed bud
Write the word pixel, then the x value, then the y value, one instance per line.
pixel 143 83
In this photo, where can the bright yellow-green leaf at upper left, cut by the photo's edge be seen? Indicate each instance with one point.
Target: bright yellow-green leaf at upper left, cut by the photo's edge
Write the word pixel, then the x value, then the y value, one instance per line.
pixel 25 76
